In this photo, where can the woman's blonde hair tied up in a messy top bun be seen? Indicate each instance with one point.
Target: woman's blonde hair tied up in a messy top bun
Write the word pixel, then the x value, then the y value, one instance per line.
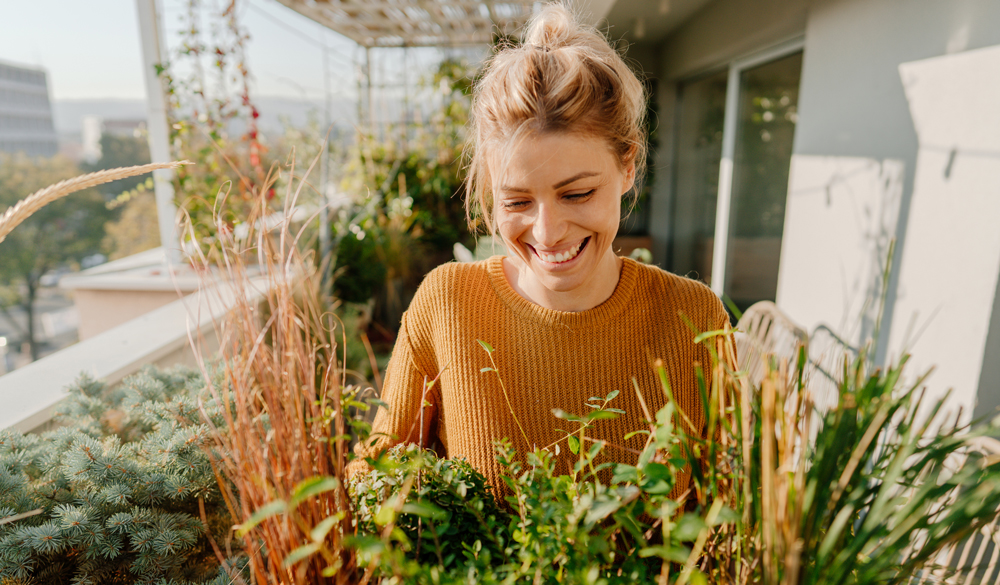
pixel 564 77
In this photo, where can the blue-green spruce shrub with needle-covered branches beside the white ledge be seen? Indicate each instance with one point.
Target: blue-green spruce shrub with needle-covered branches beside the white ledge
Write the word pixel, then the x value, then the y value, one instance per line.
pixel 124 493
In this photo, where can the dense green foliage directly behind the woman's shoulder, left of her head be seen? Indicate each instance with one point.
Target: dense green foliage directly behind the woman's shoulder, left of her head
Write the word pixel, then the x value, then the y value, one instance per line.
pixel 407 213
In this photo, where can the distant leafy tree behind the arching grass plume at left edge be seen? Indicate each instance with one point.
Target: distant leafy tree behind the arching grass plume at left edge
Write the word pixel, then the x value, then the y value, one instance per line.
pixel 62 232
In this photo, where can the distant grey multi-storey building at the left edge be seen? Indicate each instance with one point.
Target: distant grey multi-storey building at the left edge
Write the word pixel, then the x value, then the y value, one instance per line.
pixel 25 111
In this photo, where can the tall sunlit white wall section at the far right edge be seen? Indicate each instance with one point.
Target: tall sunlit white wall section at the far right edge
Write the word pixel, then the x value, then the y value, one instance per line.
pixel 948 274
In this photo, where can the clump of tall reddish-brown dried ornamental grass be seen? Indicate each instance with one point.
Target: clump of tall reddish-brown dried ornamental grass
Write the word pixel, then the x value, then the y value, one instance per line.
pixel 281 392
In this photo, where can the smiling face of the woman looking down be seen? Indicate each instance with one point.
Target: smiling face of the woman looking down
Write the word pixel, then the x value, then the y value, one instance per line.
pixel 557 211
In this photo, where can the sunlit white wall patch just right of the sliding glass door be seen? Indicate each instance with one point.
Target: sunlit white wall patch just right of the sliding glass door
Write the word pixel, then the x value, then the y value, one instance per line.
pixel 840 217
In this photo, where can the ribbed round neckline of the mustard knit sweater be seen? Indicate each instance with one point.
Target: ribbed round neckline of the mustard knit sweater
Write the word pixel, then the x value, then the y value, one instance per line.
pixel 602 313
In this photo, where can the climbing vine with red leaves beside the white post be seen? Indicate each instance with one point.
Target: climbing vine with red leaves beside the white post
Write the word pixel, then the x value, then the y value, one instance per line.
pixel 213 121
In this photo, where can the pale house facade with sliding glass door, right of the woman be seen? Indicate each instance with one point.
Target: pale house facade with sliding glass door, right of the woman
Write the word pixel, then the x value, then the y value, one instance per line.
pixel 797 141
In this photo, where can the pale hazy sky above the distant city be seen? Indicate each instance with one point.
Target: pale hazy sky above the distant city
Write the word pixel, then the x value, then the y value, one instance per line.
pixel 91 49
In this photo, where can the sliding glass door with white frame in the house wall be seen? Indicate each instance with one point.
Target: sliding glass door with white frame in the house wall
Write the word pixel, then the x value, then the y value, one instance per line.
pixel 734 136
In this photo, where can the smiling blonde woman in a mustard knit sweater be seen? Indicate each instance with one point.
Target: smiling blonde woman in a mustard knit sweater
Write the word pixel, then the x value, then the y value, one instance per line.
pixel 557 141
